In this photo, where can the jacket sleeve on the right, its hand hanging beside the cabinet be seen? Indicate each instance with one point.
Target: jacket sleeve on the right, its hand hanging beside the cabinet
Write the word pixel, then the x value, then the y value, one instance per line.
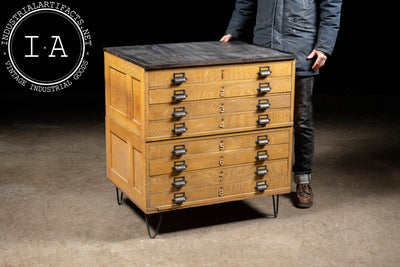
pixel 329 21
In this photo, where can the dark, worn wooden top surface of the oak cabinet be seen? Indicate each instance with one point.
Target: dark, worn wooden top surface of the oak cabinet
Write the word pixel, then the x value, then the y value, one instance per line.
pixel 177 55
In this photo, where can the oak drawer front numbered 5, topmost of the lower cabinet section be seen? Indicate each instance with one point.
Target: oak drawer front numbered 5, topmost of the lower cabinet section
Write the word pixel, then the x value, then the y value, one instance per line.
pixel 259 140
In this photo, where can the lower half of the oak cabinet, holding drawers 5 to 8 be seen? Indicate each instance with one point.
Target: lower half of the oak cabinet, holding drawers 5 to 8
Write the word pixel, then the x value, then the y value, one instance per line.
pixel 188 172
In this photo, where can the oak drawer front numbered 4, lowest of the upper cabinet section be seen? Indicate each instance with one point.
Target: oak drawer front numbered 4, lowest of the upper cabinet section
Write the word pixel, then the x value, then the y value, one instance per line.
pixel 219 124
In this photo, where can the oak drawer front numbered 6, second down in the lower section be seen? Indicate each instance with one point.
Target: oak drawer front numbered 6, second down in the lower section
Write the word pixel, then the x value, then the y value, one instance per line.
pixel 214 160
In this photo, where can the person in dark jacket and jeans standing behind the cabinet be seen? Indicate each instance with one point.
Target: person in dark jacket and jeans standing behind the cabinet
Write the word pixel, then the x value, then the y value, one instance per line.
pixel 307 29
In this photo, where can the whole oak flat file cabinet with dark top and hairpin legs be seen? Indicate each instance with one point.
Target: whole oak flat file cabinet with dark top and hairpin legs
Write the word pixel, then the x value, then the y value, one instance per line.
pixel 192 124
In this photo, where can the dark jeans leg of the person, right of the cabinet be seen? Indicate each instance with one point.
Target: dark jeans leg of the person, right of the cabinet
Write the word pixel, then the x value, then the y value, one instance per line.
pixel 303 127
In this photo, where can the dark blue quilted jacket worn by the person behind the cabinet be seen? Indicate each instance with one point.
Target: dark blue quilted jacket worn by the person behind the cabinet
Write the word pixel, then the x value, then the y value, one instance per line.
pixel 294 26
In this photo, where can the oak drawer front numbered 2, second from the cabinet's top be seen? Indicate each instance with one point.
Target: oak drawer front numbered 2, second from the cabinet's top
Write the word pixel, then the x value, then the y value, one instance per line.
pixel 220 90
